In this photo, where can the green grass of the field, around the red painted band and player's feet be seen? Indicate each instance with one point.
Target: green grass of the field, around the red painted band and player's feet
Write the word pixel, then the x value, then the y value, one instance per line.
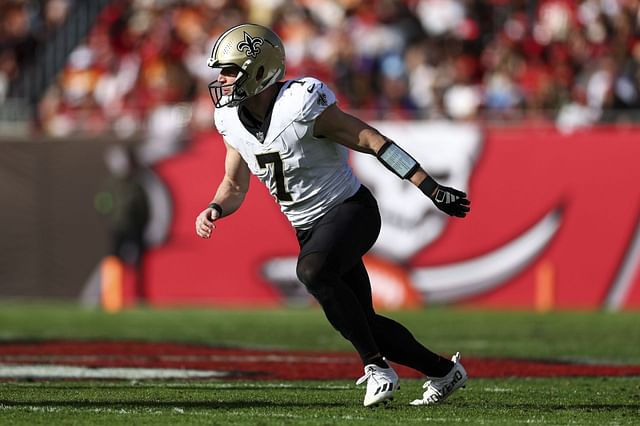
pixel 575 336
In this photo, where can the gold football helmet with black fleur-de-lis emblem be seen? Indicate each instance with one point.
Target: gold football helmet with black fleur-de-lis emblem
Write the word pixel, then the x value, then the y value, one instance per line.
pixel 256 52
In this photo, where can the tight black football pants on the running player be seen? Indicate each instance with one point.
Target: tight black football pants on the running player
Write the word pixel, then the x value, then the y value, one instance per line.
pixel 330 266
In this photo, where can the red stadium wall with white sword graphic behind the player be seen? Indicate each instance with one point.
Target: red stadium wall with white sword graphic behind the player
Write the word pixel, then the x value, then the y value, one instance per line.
pixel 555 224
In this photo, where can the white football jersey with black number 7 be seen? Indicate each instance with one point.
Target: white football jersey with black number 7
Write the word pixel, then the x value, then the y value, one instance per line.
pixel 306 175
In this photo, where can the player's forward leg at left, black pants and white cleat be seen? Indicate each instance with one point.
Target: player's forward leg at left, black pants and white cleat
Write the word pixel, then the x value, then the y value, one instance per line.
pixel 330 249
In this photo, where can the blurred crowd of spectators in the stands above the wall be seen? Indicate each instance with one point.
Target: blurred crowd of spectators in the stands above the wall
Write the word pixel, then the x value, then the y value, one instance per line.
pixel 144 61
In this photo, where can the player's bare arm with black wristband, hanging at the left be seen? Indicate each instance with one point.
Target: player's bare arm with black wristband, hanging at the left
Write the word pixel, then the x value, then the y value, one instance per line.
pixel 229 195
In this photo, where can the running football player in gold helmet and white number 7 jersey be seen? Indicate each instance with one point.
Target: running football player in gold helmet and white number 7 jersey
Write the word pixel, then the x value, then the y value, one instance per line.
pixel 296 140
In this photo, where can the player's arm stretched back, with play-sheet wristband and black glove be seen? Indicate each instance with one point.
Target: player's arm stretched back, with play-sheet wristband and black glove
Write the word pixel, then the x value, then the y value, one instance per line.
pixel 347 130
